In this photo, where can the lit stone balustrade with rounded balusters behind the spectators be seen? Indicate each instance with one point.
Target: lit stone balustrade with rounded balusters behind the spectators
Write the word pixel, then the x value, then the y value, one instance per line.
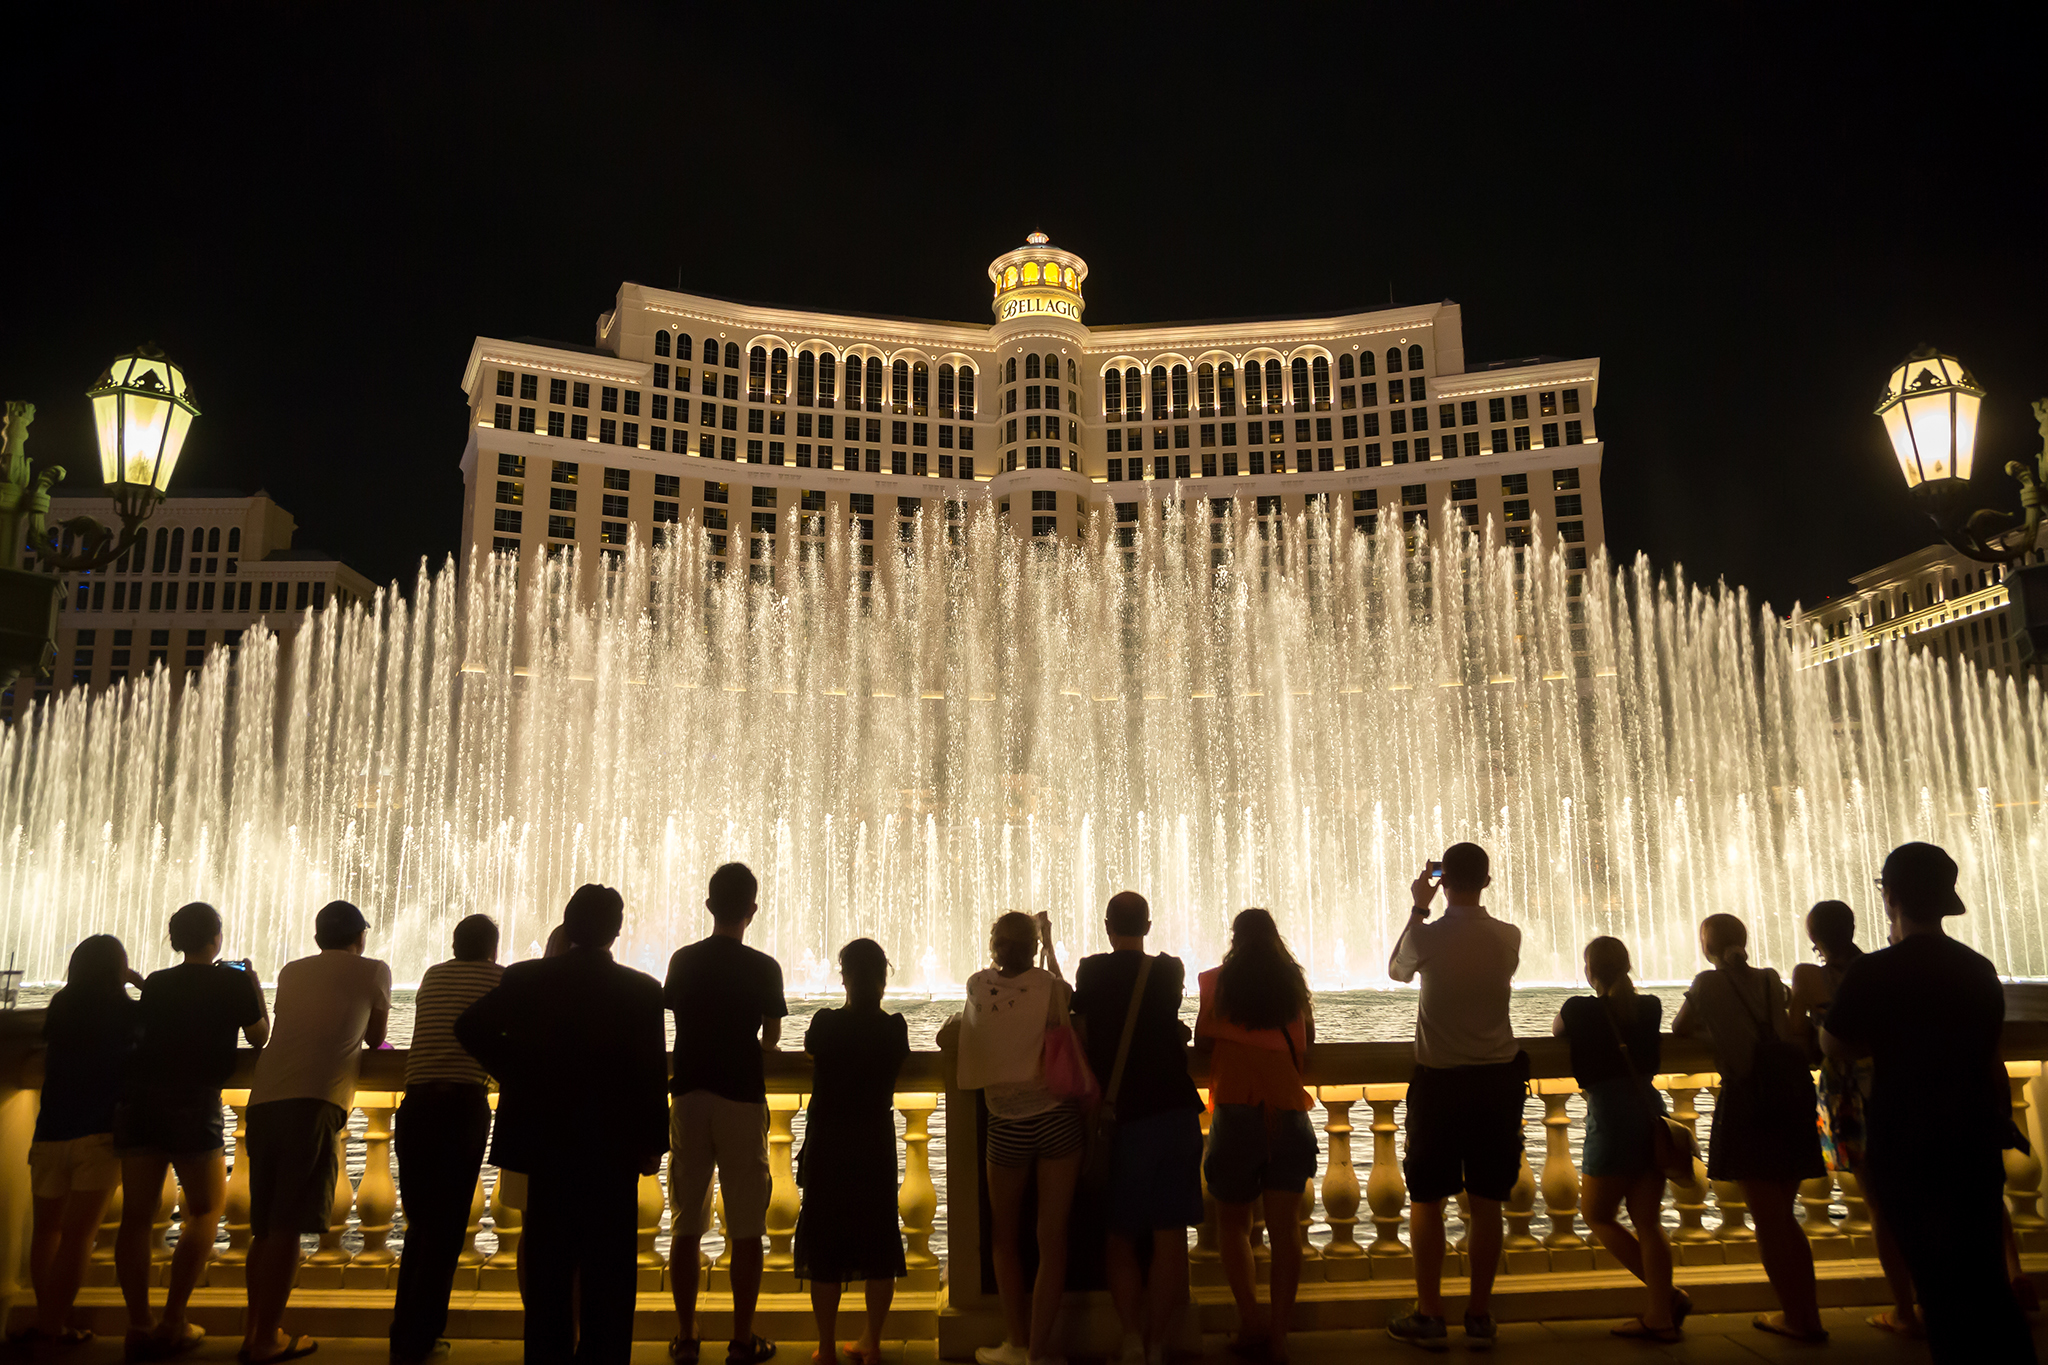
pixel 1353 1225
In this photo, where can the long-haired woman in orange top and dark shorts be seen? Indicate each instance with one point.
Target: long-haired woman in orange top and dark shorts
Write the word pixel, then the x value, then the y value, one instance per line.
pixel 1256 1026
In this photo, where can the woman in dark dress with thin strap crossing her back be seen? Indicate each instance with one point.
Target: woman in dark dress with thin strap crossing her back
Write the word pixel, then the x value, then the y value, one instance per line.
pixel 1764 1133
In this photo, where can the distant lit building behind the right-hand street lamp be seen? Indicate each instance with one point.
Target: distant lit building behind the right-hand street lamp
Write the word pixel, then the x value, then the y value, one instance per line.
pixel 1932 599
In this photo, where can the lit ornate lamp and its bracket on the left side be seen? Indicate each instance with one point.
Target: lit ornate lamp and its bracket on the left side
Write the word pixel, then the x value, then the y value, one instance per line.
pixel 142 410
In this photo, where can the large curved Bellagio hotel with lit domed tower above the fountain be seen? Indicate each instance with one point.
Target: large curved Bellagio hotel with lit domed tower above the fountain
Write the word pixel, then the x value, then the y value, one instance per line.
pixel 765 423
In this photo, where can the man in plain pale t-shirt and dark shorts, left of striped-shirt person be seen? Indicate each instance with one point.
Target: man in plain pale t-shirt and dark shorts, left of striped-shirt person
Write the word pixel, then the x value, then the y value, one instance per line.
pixel 329 1010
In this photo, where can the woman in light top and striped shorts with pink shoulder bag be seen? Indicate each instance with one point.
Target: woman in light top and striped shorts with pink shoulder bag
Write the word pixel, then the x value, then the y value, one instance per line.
pixel 1011 1008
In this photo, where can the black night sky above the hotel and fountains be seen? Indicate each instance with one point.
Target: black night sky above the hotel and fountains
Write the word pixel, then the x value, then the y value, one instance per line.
pixel 1748 224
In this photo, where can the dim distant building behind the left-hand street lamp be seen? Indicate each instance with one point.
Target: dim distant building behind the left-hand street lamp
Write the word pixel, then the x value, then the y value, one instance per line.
pixel 210 566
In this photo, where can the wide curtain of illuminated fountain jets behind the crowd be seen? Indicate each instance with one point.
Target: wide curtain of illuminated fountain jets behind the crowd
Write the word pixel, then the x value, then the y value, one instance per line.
pixel 1293 721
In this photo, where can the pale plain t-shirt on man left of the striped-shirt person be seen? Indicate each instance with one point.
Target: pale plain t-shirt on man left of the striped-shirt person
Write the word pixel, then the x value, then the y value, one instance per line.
pixel 325 1006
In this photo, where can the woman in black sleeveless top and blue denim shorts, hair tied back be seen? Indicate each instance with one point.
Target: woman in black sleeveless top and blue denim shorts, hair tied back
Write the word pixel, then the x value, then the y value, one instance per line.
pixel 1615 1053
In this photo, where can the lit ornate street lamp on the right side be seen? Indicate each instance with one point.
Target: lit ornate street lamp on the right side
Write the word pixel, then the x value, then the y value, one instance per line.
pixel 1930 410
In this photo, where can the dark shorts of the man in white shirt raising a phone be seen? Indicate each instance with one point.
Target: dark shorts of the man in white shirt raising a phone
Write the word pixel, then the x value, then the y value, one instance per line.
pixel 1465 1131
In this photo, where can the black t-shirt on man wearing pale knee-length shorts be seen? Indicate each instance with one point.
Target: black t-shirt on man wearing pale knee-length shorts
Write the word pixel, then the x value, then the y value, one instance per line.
pixel 722 992
